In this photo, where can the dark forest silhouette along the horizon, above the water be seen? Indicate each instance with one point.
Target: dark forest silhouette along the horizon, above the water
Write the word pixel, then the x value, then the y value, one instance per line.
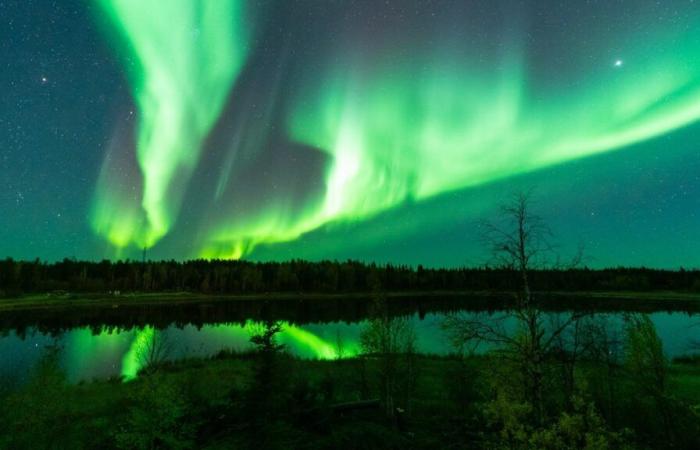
pixel 299 276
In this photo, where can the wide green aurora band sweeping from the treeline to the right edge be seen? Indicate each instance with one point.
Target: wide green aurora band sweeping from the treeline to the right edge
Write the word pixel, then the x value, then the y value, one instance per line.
pixel 428 124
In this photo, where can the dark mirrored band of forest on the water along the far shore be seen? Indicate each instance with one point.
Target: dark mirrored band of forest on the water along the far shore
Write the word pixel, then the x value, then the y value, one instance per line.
pixel 56 313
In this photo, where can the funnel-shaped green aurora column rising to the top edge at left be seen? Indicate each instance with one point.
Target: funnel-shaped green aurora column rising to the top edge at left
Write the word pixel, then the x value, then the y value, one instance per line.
pixel 183 57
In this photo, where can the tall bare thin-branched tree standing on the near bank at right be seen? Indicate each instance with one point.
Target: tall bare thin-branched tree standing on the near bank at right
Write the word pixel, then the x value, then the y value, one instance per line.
pixel 519 242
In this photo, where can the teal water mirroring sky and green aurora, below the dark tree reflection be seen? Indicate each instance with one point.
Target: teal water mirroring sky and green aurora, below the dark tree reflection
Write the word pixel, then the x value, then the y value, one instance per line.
pixel 115 351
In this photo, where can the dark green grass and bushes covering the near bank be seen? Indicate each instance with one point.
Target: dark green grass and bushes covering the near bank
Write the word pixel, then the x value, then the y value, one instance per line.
pixel 267 400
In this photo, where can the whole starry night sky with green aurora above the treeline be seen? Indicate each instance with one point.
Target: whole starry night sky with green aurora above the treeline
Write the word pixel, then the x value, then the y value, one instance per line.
pixel 374 130
